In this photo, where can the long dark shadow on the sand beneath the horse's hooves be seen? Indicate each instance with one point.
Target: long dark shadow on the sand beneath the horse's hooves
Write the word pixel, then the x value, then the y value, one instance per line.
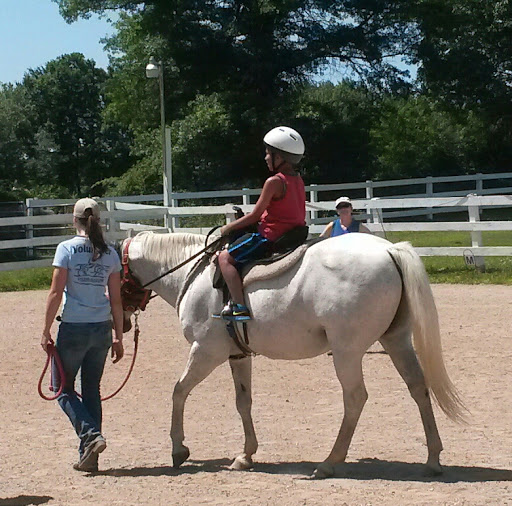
pixel 364 469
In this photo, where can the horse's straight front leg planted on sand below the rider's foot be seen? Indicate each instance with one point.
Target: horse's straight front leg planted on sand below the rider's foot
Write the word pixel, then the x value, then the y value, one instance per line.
pixel 241 371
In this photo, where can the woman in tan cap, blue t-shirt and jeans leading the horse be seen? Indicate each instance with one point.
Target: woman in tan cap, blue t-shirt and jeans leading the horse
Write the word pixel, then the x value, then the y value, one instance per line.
pixel 85 268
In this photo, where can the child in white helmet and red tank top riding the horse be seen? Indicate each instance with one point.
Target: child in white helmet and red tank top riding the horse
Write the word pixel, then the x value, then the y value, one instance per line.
pixel 280 208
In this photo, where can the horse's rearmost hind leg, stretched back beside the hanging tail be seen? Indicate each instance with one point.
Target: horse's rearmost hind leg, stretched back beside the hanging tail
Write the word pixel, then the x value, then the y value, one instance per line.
pixel 399 347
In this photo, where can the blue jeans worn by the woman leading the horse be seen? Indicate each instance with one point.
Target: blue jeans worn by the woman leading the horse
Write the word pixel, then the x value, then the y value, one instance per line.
pixel 83 346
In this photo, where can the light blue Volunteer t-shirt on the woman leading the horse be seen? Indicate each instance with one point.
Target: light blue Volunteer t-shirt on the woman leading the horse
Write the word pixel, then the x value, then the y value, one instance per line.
pixel 85 298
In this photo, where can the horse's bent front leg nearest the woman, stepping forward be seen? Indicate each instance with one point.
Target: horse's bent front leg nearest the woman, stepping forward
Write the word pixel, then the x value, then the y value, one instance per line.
pixel 201 363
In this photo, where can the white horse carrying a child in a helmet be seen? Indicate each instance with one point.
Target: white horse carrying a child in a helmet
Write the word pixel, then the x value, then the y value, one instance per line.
pixel 345 294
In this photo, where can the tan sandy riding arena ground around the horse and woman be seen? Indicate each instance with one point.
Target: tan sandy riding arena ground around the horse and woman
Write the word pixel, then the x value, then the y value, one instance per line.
pixel 297 409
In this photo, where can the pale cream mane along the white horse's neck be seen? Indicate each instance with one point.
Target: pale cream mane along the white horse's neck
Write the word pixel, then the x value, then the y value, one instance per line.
pixel 168 249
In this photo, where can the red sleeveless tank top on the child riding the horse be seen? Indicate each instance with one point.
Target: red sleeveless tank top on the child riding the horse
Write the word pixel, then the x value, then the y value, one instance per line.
pixel 286 213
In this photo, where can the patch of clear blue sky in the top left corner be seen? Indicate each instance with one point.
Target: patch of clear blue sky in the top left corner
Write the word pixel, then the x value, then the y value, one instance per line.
pixel 32 33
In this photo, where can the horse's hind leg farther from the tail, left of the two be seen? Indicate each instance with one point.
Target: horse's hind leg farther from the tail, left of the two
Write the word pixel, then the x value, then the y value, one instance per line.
pixel 349 370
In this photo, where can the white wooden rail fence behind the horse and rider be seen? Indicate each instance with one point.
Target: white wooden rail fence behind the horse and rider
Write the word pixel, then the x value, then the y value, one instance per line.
pixel 125 213
